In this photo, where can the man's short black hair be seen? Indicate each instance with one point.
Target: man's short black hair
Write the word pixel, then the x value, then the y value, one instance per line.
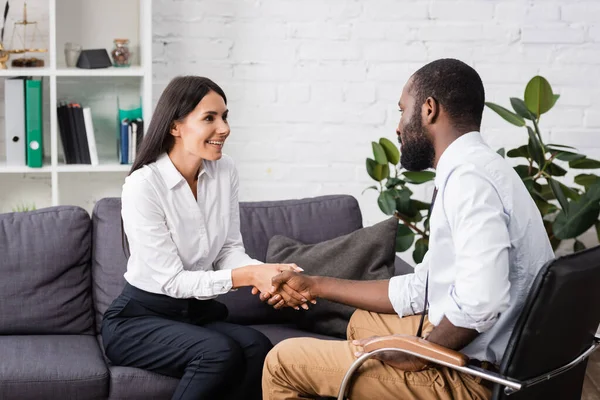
pixel 455 86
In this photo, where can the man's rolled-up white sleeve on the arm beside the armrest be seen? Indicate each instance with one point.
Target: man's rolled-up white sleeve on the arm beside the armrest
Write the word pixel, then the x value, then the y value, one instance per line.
pixel 479 225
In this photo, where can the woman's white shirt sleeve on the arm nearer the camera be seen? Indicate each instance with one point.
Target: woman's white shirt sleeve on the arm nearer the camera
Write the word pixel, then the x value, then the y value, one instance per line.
pixel 153 248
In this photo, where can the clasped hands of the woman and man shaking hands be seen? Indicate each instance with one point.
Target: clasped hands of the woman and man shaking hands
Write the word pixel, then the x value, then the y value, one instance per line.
pixel 283 285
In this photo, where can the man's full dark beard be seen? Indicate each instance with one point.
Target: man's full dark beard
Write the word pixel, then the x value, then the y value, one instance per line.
pixel 418 153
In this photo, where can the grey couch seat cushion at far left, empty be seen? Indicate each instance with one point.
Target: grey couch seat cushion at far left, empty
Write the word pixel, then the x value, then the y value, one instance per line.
pixel 52 367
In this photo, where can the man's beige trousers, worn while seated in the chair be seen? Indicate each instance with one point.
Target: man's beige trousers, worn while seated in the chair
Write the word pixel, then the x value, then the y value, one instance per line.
pixel 307 368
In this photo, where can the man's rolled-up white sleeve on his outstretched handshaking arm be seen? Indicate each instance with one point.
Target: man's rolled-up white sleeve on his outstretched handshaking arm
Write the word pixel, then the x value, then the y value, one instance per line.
pixel 407 292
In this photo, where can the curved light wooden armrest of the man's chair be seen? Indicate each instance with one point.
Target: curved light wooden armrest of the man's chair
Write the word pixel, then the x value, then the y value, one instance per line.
pixel 418 346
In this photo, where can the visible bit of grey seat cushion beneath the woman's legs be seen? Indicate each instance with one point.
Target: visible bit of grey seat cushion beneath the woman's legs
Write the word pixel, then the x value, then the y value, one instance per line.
pixel 133 383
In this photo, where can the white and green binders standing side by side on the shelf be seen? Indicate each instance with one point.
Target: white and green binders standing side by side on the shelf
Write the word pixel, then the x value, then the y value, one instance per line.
pixel 23 122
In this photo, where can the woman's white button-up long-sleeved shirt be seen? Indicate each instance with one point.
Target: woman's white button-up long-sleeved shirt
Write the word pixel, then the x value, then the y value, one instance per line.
pixel 180 246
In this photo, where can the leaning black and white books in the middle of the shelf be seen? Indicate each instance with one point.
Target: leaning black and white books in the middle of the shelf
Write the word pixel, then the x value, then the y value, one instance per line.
pixel 77 134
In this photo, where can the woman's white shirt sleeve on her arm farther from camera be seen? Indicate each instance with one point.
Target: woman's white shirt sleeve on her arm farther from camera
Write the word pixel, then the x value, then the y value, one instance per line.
pixel 233 254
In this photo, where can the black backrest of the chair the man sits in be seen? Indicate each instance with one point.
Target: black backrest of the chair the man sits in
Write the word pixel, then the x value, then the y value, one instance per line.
pixel 558 322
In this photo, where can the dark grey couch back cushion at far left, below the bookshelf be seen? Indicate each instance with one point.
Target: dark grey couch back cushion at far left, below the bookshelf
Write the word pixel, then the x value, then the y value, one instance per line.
pixel 45 269
